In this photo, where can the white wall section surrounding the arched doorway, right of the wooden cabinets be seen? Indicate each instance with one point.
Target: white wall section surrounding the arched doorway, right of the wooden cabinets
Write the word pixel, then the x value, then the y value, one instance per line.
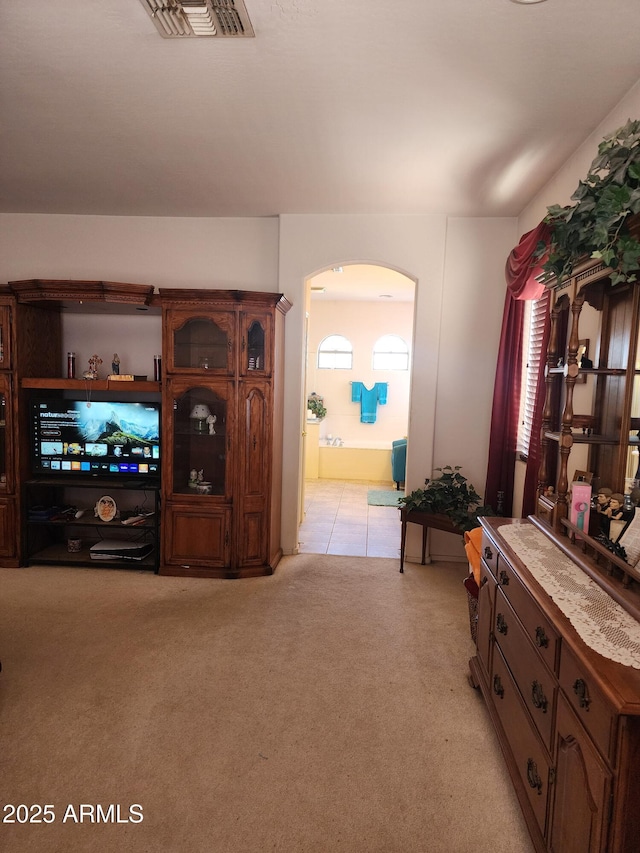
pixel 458 267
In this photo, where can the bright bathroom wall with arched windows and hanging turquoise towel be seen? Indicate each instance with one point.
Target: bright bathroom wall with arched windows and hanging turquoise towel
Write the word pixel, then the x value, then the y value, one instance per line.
pixel 362 323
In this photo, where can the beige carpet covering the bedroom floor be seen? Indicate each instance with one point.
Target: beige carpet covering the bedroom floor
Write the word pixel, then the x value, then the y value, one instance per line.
pixel 323 709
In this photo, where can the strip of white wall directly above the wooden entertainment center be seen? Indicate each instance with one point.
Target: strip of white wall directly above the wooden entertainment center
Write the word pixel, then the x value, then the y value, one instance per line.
pixel 238 254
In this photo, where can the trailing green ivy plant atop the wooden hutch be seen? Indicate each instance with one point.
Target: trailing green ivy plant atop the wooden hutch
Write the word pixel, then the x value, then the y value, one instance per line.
pixel 597 224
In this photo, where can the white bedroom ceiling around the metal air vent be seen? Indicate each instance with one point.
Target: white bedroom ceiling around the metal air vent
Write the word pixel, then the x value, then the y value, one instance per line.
pixel 462 107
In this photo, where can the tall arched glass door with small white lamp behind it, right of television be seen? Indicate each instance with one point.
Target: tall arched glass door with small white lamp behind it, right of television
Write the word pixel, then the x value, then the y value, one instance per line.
pixel 201 440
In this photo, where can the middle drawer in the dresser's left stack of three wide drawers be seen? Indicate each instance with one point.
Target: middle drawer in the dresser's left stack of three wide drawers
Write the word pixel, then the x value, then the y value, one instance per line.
pixel 537 686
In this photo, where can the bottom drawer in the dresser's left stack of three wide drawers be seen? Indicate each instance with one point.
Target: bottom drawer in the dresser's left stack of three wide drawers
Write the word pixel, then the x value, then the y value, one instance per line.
pixel 529 755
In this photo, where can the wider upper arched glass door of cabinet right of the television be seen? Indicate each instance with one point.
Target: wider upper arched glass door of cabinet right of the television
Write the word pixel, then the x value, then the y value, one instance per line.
pixel 202 343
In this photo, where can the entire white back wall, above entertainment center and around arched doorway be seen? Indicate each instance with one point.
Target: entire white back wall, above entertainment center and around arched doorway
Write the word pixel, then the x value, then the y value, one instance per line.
pixel 460 290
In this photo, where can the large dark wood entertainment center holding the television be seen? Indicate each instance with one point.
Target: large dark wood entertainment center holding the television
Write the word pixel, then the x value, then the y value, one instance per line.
pixel 214 509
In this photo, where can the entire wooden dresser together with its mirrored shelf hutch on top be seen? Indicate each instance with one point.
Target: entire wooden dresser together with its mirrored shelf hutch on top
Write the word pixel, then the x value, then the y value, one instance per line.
pixel 558 635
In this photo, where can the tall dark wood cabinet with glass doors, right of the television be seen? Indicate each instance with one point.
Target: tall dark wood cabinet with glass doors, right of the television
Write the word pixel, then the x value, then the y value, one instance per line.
pixel 222 405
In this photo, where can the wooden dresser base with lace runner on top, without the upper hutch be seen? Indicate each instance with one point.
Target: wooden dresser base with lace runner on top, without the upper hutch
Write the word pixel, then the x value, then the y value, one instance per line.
pixel 567 716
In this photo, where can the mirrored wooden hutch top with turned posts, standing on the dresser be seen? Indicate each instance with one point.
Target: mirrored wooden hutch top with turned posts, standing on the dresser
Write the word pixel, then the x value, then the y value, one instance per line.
pixel 591 416
